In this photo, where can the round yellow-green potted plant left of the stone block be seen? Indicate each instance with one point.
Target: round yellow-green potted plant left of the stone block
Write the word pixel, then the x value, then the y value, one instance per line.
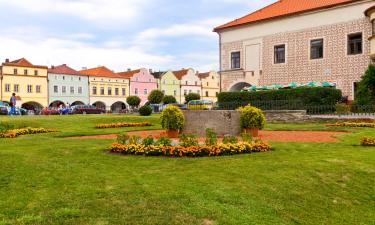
pixel 173 120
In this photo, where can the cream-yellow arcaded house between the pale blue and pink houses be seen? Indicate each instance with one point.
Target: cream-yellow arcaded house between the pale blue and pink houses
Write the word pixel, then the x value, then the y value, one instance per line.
pixel 108 90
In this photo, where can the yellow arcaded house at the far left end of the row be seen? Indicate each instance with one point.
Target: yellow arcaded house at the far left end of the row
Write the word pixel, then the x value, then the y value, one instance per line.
pixel 27 81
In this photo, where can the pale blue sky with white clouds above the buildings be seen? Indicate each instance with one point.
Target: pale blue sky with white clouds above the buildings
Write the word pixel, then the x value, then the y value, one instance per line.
pixel 118 34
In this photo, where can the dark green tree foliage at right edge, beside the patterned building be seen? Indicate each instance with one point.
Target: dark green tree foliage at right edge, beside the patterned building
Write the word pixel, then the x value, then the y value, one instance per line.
pixel 365 94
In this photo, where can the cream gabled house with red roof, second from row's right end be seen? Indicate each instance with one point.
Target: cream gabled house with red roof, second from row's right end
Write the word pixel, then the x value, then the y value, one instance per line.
pixel 189 82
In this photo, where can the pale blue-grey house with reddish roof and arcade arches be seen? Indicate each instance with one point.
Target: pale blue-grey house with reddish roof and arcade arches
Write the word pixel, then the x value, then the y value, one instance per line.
pixel 67 86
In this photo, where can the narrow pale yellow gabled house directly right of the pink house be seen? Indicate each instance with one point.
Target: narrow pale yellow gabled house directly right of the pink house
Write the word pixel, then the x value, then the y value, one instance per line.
pixel 169 84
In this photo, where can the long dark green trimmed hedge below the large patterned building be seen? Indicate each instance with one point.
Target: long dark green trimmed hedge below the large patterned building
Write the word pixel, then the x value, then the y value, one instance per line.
pixel 299 98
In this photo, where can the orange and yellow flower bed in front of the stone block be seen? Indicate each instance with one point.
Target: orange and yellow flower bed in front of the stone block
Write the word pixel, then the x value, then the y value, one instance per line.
pixel 193 151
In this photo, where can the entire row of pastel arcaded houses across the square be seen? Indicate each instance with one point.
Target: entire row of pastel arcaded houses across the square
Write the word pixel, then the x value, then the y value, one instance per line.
pixel 38 86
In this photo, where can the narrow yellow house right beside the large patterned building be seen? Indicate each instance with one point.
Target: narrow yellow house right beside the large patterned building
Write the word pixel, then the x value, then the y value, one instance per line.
pixel 210 85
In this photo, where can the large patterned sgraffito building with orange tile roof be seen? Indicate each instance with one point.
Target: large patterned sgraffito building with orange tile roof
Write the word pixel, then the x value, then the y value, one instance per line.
pixel 311 41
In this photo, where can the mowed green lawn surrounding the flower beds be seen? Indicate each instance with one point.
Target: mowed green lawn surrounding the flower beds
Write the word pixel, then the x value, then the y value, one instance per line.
pixel 47 179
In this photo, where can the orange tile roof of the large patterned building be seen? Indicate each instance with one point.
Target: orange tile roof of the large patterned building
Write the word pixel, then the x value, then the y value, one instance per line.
pixel 283 8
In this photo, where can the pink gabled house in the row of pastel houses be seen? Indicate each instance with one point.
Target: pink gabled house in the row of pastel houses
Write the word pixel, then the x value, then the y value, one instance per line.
pixel 141 83
